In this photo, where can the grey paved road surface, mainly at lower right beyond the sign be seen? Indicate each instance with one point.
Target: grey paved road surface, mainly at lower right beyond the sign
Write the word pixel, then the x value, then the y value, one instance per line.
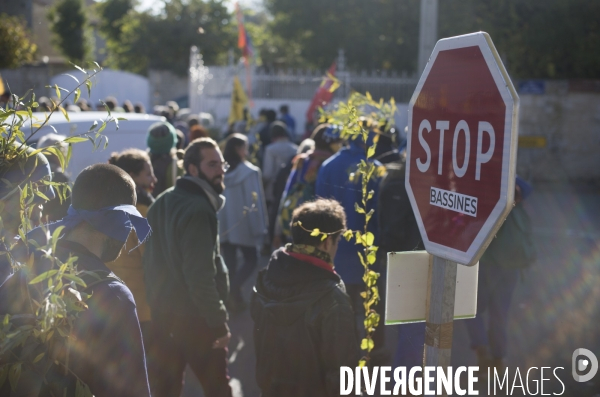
pixel 555 309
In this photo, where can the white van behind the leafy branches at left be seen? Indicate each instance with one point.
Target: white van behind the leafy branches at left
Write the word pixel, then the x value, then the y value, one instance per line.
pixel 132 133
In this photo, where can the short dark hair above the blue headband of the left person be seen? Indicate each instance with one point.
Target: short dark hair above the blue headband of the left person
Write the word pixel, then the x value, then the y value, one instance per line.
pixel 102 185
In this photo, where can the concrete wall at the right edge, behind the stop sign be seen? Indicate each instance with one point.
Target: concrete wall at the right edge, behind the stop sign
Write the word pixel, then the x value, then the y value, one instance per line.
pixel 567 114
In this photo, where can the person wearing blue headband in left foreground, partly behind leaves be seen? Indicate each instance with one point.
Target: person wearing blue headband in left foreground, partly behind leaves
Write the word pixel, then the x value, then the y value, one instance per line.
pixel 106 350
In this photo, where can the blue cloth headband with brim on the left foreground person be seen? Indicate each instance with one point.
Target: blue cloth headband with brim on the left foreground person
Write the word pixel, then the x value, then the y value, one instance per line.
pixel 115 222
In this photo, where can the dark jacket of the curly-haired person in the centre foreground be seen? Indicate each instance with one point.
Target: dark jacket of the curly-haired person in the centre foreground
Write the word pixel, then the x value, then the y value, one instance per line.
pixel 304 328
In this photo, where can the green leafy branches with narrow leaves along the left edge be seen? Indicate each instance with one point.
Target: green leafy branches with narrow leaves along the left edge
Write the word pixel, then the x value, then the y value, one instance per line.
pixel 40 338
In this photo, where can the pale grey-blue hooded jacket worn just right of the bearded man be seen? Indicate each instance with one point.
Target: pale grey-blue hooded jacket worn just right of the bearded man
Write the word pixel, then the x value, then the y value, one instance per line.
pixel 237 228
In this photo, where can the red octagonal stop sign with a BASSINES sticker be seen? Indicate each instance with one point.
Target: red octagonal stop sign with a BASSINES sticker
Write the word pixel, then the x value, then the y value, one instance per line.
pixel 461 149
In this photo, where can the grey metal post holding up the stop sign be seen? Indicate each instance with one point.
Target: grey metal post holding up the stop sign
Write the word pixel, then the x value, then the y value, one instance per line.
pixel 440 313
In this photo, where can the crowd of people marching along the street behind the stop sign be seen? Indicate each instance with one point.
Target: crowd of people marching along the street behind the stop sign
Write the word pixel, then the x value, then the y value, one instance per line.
pixel 261 190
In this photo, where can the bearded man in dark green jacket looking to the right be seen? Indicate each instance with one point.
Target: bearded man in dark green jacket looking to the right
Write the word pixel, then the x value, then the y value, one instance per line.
pixel 186 279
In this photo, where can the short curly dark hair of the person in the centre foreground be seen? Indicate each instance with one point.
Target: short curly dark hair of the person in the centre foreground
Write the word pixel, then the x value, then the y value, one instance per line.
pixel 324 214
